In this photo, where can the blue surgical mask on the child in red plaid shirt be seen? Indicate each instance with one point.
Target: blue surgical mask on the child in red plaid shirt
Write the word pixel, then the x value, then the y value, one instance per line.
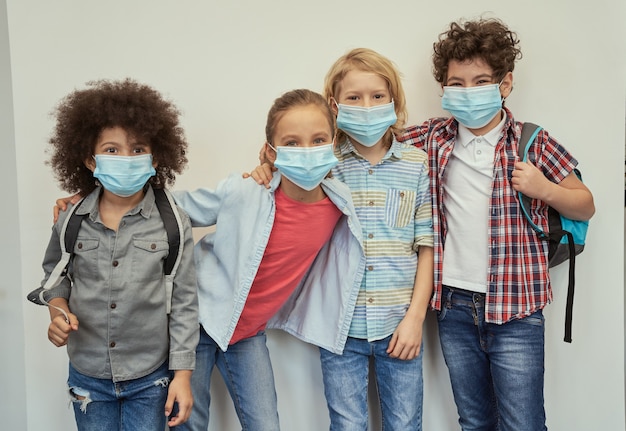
pixel 473 107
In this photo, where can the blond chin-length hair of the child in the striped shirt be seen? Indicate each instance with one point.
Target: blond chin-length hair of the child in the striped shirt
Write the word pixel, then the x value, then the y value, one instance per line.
pixel 368 60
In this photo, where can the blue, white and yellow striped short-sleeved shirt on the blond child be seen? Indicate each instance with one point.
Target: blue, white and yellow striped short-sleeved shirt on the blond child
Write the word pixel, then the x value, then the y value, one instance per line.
pixel 393 204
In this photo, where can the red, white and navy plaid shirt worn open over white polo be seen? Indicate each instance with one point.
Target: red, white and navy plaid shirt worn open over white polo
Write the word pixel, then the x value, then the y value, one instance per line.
pixel 518 282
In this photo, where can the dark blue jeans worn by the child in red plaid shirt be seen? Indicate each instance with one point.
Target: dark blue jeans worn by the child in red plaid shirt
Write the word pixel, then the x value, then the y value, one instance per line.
pixel 496 371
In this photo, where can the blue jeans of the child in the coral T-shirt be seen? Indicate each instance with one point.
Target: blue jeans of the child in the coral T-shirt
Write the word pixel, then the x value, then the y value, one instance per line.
pixel 247 373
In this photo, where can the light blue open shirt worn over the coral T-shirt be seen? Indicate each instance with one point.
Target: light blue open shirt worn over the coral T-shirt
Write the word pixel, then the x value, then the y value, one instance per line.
pixel 319 311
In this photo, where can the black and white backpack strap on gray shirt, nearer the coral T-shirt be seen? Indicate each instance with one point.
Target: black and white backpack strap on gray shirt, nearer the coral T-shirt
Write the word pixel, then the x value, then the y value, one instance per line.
pixel 174 229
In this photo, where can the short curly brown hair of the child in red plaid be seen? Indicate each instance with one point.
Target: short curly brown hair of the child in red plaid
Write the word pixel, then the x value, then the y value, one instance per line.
pixel 487 39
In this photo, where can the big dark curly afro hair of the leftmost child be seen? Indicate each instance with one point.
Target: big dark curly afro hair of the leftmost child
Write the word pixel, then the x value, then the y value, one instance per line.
pixel 137 108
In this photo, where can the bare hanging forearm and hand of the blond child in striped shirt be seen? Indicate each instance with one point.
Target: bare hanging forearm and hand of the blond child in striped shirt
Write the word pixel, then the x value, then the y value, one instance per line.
pixel 406 341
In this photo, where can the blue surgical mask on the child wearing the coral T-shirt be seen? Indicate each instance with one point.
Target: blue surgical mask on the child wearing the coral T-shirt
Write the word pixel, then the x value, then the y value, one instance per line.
pixel 306 167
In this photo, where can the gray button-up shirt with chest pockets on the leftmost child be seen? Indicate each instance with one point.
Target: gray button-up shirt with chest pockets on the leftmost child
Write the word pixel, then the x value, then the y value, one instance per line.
pixel 118 294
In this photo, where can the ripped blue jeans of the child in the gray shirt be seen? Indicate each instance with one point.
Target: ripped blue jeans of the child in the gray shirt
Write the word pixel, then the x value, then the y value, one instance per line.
pixel 132 405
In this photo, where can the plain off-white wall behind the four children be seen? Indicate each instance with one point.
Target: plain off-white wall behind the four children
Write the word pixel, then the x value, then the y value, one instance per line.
pixel 223 63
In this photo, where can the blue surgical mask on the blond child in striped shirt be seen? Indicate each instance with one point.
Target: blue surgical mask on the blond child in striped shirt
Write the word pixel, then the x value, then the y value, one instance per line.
pixel 366 125
